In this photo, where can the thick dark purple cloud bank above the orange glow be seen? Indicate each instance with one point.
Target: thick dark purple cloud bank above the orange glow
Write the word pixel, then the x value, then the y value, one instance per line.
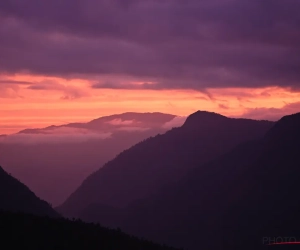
pixel 179 44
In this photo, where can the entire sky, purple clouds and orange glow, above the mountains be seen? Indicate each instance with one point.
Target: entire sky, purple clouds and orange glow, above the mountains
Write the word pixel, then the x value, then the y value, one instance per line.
pixel 75 60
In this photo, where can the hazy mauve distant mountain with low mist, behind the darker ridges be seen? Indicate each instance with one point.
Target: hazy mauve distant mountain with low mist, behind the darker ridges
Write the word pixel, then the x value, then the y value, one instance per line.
pixel 53 161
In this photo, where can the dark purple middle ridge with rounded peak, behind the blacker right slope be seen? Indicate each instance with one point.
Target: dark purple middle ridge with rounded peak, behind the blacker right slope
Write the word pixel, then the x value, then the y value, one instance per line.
pixel 159 161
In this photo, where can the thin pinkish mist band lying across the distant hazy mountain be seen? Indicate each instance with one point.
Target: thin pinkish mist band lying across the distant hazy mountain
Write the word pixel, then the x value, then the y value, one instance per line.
pixel 70 134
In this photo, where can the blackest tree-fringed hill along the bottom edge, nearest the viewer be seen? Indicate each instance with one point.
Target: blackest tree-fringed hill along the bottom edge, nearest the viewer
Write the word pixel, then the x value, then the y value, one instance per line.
pixel 23 231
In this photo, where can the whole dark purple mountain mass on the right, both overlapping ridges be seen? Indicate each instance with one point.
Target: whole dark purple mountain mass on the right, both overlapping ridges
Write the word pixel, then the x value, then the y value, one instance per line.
pixel 239 185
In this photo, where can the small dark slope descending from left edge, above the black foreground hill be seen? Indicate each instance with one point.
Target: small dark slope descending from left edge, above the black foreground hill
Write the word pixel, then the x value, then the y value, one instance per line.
pixel 15 196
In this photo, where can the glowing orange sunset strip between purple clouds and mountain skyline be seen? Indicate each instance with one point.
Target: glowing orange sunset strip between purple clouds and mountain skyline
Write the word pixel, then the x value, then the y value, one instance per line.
pixel 35 101
